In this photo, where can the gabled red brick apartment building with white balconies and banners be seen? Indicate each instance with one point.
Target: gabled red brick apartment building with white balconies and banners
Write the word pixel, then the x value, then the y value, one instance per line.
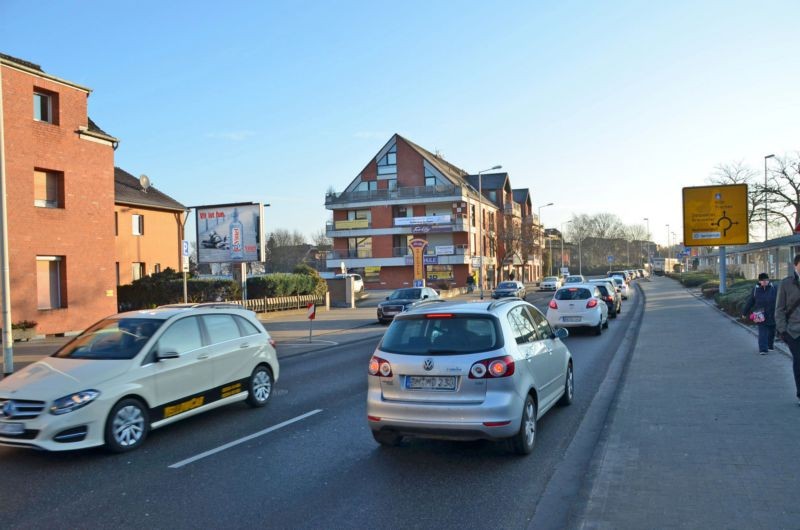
pixel 406 192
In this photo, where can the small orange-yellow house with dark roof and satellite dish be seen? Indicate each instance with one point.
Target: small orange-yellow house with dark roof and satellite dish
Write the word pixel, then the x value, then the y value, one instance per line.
pixel 148 225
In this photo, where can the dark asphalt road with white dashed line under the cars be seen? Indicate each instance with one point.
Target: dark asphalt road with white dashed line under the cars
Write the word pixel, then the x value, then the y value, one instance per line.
pixel 305 461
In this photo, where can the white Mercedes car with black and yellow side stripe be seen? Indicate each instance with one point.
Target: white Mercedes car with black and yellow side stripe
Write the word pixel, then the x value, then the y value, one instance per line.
pixel 137 371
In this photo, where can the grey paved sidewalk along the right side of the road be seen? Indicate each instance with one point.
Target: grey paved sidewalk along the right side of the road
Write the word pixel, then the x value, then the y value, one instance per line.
pixel 703 433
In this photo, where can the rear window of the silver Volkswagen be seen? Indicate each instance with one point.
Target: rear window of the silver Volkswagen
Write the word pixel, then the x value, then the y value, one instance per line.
pixel 445 334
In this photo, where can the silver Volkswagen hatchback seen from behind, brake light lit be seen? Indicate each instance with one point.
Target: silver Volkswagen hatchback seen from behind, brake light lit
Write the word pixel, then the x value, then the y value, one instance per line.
pixel 468 371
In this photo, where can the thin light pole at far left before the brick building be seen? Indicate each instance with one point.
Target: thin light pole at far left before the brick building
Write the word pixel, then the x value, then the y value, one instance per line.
pixel 8 341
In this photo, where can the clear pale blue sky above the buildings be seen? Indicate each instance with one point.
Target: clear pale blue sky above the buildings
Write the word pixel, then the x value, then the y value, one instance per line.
pixel 597 107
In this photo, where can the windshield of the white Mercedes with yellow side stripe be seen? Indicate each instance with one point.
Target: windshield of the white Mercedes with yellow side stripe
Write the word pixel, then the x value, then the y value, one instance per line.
pixel 111 338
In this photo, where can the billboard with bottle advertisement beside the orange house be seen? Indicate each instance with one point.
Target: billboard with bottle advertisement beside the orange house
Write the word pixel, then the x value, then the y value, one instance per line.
pixel 229 233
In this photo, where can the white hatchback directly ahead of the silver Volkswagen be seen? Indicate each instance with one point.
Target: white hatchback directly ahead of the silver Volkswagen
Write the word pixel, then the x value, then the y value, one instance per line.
pixel 578 305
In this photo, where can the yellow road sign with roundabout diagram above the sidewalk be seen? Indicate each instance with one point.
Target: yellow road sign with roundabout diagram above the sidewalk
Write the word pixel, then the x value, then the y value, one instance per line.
pixel 715 215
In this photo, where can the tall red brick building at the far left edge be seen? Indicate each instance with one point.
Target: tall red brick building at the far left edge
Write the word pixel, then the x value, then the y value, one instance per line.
pixel 59 173
